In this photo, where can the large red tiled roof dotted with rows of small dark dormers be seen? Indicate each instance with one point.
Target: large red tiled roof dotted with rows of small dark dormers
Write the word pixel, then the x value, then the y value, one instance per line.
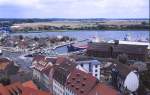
pixel 80 83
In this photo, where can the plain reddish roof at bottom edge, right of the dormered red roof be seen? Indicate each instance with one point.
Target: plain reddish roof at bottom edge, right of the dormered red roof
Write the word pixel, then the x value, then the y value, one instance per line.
pixel 103 89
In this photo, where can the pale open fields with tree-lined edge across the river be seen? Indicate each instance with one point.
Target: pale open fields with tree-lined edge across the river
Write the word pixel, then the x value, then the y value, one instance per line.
pixel 61 26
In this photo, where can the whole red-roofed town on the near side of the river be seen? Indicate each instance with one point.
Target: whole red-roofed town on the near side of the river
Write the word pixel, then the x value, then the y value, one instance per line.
pixel 32 66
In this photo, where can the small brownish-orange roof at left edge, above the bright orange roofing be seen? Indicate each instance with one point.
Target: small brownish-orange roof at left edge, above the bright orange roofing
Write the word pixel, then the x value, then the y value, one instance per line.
pixel 4 63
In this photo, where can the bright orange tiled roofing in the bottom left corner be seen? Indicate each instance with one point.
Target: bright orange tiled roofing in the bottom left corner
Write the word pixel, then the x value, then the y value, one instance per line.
pixel 20 89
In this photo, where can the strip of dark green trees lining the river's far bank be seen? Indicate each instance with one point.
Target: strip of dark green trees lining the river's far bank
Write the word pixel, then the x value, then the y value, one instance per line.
pixel 98 27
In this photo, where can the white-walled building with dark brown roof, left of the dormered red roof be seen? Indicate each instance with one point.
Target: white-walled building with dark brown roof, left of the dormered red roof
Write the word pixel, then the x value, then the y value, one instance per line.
pixel 62 70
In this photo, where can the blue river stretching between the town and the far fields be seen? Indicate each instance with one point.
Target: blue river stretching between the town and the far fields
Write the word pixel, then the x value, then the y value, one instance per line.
pixel 83 34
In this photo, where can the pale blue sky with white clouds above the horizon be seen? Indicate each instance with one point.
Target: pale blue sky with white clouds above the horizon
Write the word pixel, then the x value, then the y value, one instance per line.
pixel 74 8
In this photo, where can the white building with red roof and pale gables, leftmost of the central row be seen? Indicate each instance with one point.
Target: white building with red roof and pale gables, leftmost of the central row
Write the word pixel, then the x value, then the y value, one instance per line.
pixel 41 67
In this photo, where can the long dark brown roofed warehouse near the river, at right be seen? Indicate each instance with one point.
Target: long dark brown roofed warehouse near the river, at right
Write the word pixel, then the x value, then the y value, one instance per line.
pixel 112 50
